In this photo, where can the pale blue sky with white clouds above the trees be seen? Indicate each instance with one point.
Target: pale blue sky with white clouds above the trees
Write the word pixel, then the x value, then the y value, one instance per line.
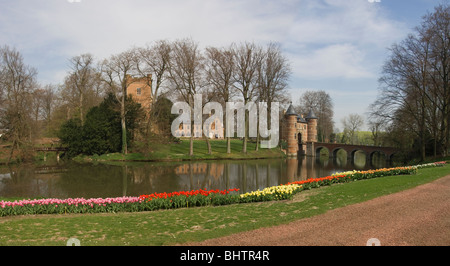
pixel 338 46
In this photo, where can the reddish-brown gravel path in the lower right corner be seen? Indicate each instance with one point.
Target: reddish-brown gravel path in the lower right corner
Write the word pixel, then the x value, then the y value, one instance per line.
pixel 415 217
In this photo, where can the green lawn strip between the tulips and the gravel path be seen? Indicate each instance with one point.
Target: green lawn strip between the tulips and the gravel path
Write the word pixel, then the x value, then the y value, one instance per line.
pixel 169 227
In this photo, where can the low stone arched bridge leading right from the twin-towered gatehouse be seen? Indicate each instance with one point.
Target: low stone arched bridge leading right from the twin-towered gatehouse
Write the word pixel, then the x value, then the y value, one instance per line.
pixel 333 148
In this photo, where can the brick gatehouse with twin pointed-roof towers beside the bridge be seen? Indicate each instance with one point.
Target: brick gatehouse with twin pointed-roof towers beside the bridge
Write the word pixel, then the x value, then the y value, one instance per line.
pixel 300 133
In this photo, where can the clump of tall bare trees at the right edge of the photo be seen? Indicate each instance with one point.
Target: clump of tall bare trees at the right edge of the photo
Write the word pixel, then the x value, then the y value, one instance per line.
pixel 415 83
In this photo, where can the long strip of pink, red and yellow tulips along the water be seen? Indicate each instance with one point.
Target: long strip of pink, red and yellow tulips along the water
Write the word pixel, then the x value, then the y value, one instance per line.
pixel 192 198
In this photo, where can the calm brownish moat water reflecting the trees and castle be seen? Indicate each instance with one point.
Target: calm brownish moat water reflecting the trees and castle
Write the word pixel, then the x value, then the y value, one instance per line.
pixel 70 180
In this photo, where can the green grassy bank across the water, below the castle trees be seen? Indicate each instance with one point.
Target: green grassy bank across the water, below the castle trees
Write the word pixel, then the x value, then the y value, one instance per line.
pixel 180 151
